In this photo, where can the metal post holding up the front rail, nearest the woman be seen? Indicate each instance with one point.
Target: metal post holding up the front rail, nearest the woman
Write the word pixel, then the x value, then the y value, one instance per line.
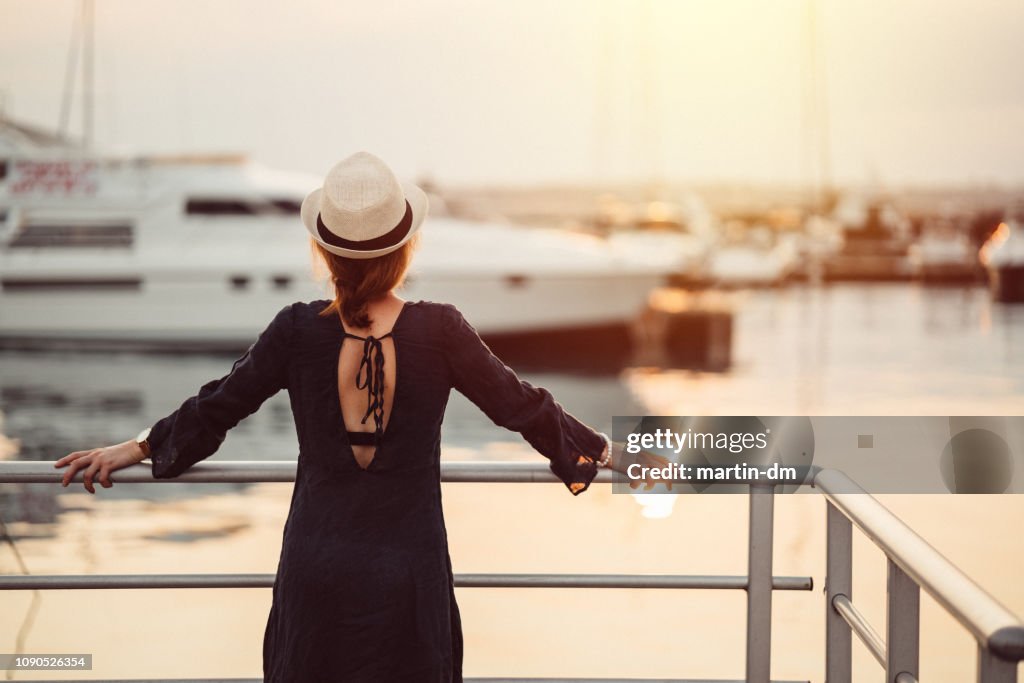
pixel 760 584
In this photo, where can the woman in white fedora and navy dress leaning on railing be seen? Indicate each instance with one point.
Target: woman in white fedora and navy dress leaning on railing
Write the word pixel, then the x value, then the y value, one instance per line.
pixel 364 590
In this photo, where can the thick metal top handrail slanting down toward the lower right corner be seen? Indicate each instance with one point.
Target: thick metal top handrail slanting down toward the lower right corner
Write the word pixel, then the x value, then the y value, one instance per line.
pixel 995 627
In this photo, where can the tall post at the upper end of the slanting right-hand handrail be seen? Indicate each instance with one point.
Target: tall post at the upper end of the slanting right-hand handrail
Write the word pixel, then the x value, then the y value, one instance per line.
pixel 839 581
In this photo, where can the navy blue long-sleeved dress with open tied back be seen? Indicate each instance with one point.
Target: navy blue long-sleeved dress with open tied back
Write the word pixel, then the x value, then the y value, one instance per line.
pixel 364 588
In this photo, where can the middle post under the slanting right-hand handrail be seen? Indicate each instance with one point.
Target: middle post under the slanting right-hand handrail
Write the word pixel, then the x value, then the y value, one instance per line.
pixel 903 624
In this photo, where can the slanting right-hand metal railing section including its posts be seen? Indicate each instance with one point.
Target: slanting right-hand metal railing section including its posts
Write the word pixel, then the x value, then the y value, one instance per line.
pixel 913 565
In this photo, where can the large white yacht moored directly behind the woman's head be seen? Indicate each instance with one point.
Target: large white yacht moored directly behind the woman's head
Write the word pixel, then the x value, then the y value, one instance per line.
pixel 203 251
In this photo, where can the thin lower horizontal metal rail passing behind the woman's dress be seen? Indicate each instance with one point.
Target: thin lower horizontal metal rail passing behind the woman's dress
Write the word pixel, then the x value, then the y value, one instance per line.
pixel 95 582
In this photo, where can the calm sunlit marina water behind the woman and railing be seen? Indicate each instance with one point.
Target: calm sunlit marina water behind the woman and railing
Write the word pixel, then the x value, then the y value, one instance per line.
pixel 844 350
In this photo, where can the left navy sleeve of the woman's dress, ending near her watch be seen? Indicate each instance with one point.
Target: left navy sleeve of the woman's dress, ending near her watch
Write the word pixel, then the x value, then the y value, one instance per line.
pixel 197 430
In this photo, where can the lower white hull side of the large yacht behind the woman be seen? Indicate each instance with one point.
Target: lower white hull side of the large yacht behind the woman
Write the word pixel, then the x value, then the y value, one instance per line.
pixel 206 312
